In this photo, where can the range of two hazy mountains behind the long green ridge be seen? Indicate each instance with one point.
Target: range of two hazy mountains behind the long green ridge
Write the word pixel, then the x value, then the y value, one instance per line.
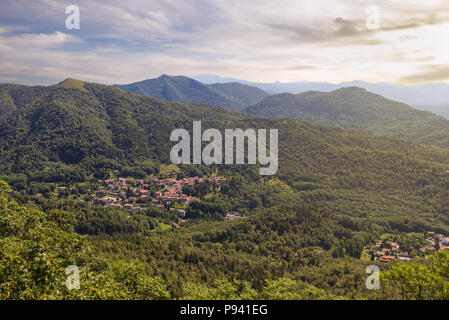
pixel 352 108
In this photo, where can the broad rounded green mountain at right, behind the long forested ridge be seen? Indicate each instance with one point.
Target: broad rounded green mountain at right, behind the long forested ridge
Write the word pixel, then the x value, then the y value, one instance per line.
pixel 357 109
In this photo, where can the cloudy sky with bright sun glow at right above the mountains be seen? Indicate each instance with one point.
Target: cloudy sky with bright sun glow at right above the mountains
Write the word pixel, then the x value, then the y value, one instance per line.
pixel 260 41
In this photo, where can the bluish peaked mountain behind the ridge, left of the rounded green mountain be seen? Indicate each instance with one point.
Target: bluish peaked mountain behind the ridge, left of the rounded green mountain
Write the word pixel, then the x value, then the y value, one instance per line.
pixel 182 89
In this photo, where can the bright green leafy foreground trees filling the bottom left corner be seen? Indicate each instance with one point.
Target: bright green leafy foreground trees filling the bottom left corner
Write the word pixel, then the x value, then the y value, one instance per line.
pixel 36 248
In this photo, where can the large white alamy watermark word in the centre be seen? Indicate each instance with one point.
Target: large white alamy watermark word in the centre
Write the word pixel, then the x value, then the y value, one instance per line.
pixel 212 153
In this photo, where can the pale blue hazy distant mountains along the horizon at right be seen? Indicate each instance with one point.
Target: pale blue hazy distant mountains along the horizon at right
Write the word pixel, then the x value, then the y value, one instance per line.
pixel 432 97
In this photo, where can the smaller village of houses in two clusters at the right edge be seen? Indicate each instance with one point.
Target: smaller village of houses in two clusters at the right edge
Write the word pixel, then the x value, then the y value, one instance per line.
pixel 386 251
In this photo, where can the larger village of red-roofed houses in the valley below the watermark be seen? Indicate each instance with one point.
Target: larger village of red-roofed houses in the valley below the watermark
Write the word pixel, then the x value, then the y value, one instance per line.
pixel 123 193
